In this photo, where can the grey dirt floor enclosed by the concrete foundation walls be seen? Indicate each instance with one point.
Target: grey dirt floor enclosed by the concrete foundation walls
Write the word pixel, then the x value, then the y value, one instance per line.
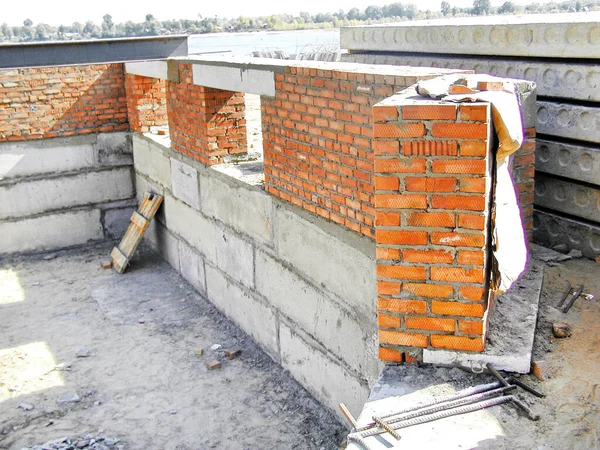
pixel 143 382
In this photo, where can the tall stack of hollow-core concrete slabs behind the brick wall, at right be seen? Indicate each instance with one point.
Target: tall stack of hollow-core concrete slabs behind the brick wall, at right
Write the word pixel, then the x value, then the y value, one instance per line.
pixel 561 53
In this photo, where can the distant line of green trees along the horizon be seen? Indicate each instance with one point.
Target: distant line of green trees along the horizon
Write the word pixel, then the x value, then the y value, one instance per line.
pixel 372 14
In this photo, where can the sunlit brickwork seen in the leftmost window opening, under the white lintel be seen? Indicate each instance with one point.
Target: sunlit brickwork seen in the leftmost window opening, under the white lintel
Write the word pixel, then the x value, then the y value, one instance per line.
pixel 146 102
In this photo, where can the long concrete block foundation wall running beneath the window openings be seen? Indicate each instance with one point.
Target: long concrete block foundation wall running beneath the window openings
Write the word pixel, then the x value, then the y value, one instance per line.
pixel 302 287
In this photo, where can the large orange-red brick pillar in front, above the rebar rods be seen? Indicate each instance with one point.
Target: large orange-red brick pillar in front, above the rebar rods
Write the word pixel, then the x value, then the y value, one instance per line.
pixel 432 195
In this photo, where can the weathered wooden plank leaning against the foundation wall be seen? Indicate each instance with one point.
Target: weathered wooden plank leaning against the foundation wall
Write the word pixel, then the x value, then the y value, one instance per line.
pixel 140 220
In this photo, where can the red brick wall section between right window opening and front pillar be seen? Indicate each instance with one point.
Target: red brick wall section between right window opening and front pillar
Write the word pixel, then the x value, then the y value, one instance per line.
pixel 317 134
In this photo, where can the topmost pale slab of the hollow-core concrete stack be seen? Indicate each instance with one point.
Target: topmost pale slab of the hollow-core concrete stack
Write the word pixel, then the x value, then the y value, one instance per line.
pixel 540 35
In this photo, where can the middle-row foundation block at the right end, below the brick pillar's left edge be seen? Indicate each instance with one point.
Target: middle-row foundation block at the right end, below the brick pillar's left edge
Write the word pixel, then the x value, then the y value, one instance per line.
pixel 332 324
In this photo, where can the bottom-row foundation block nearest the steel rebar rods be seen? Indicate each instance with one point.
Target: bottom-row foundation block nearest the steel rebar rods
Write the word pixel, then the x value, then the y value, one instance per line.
pixel 330 383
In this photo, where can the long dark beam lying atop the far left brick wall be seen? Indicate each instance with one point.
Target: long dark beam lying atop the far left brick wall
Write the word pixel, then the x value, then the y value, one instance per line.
pixel 95 51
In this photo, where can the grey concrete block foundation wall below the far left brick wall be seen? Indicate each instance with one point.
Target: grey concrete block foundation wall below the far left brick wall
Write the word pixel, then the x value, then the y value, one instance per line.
pixel 62 192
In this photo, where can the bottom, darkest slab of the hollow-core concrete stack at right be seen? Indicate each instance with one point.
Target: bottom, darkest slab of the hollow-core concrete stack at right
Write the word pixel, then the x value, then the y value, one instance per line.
pixel 552 229
